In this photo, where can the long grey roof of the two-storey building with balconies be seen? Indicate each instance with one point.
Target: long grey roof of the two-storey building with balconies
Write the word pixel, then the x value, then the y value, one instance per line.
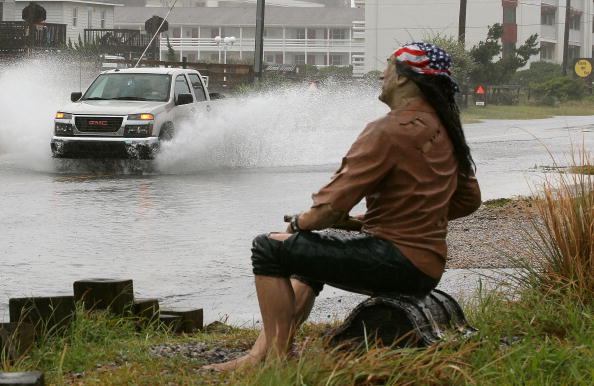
pixel 243 16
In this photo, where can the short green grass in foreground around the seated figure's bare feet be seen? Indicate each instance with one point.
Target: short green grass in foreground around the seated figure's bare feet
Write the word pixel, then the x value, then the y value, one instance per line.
pixel 557 347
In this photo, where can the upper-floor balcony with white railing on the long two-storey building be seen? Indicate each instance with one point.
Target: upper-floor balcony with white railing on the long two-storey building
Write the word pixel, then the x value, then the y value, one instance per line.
pixel 310 45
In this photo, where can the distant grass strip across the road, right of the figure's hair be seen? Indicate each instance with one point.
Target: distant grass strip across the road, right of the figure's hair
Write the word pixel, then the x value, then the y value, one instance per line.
pixel 476 114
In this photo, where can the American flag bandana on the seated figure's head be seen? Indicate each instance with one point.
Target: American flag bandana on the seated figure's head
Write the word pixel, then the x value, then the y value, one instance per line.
pixel 426 59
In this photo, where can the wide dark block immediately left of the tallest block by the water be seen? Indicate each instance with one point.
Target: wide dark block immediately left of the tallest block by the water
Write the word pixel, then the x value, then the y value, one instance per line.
pixel 44 313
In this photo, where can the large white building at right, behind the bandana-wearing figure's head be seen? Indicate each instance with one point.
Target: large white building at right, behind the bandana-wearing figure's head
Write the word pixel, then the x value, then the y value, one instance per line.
pixel 390 23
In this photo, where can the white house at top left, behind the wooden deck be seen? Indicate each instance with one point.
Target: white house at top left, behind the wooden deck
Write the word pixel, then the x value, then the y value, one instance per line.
pixel 78 15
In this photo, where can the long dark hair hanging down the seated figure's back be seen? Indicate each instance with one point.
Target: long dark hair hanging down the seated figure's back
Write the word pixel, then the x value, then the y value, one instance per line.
pixel 439 92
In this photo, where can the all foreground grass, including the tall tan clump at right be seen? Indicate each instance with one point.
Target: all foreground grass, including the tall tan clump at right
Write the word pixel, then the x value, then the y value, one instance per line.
pixel 549 314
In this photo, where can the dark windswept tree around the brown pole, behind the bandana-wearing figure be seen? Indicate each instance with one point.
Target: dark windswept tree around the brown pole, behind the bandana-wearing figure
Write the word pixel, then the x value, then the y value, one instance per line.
pixel 500 71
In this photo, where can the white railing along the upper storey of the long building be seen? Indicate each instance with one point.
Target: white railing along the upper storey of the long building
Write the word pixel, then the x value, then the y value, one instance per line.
pixel 268 43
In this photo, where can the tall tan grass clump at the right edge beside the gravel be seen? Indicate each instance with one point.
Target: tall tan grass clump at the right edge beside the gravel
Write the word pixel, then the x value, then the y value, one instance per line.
pixel 561 257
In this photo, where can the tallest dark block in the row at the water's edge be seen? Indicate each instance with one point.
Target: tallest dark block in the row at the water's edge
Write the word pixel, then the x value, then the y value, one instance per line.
pixel 102 294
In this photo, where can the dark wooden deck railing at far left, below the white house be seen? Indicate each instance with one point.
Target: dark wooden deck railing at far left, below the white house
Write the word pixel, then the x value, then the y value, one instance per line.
pixel 14 36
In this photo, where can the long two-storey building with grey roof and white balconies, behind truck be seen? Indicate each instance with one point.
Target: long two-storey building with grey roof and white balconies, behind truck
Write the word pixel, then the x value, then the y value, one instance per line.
pixel 293 35
